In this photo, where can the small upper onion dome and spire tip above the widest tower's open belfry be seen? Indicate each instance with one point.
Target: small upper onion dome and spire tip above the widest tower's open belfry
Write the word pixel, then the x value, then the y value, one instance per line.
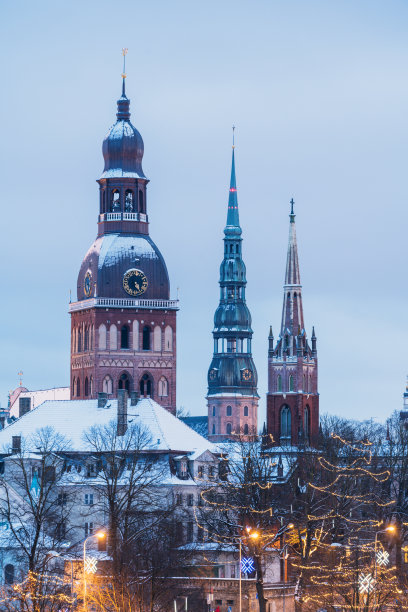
pixel 123 146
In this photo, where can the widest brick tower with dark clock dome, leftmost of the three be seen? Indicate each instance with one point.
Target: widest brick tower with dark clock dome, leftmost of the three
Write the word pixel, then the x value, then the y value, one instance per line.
pixel 123 324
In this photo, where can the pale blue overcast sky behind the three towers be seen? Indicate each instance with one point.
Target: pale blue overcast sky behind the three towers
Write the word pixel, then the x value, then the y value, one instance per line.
pixel 318 91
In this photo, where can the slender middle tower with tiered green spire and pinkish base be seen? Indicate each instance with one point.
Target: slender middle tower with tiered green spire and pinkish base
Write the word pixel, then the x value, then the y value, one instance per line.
pixel 232 378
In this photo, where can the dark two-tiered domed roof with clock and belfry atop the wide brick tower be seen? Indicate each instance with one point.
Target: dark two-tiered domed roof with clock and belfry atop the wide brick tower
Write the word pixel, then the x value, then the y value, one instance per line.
pixel 123 251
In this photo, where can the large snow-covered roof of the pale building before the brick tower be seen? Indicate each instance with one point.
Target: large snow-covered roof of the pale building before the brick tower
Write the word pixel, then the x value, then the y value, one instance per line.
pixel 72 418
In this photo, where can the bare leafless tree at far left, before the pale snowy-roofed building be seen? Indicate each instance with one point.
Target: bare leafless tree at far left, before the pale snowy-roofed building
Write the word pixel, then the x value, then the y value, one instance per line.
pixel 34 509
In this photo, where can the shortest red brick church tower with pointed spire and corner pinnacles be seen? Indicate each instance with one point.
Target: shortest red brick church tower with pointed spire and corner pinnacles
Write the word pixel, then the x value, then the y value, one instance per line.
pixel 292 399
